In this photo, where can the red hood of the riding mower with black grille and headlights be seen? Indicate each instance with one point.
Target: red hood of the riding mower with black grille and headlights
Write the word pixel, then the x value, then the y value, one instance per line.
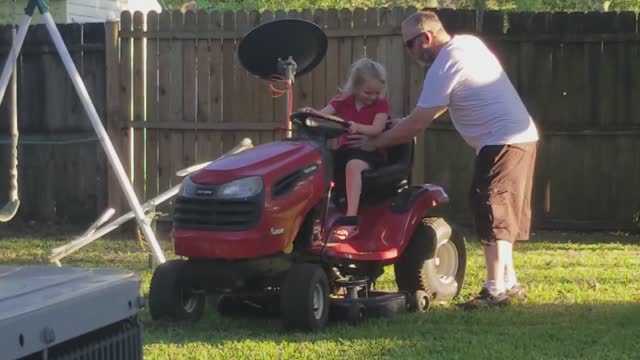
pixel 249 204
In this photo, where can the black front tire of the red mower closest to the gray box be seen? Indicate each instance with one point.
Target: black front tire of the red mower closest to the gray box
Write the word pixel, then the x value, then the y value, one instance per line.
pixel 168 299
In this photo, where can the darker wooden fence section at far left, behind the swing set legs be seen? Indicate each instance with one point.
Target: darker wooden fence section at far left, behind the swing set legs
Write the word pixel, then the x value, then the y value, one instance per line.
pixel 62 170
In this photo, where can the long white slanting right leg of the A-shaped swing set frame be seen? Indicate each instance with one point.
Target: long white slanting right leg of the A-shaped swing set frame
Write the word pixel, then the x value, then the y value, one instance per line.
pixel 132 199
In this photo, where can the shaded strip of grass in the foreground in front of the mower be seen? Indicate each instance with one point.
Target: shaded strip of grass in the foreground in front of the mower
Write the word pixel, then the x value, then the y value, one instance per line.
pixel 551 330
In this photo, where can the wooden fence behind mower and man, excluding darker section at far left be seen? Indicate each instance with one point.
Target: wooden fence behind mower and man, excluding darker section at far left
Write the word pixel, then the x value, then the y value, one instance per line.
pixel 186 98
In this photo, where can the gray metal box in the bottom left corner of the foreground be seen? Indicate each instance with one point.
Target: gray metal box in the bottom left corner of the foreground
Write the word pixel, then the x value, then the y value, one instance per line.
pixel 69 310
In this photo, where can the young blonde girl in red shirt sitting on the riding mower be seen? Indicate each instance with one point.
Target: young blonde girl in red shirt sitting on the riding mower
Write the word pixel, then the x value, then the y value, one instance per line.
pixel 362 103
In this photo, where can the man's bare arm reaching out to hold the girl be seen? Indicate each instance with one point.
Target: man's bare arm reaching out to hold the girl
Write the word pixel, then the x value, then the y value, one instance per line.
pixel 408 127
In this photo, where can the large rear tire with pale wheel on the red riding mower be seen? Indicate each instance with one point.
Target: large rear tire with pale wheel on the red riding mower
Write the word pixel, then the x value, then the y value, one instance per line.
pixel 440 272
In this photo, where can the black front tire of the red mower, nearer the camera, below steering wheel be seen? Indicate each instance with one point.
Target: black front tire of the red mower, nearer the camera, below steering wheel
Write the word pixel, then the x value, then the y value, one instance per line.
pixel 304 298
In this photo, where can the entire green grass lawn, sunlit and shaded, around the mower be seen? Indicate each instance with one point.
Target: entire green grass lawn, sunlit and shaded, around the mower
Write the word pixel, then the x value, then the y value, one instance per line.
pixel 584 303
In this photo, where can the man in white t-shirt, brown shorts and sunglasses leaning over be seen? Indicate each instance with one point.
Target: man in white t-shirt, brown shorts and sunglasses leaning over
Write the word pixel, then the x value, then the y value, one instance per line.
pixel 466 78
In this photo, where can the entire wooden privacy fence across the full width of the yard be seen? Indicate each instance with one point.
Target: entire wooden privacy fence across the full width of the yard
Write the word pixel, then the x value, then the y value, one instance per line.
pixel 173 94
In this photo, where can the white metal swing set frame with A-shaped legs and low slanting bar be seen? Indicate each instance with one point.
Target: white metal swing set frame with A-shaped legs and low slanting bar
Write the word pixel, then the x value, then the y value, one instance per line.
pixel 96 230
